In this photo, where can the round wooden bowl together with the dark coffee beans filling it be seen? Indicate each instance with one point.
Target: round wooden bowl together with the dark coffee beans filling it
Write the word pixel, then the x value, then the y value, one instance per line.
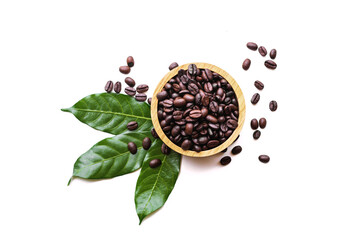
pixel 198 109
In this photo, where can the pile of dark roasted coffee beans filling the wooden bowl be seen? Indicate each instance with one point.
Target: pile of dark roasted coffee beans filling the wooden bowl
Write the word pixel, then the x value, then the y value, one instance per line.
pixel 197 109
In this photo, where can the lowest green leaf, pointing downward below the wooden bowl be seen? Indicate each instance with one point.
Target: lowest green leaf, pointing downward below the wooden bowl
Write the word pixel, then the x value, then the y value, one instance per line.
pixel 154 185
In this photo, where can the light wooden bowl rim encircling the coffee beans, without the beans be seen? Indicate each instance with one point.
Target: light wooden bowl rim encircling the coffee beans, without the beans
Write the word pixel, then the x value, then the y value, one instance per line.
pixel 229 141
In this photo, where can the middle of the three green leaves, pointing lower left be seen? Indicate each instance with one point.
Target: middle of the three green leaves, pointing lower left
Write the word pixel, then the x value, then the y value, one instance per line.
pixel 111 157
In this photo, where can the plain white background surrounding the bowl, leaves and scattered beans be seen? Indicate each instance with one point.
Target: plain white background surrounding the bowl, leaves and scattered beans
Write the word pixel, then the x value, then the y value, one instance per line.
pixel 53 53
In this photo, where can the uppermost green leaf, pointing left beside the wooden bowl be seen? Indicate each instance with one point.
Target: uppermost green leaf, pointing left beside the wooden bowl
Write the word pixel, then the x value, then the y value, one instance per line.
pixel 110 112
